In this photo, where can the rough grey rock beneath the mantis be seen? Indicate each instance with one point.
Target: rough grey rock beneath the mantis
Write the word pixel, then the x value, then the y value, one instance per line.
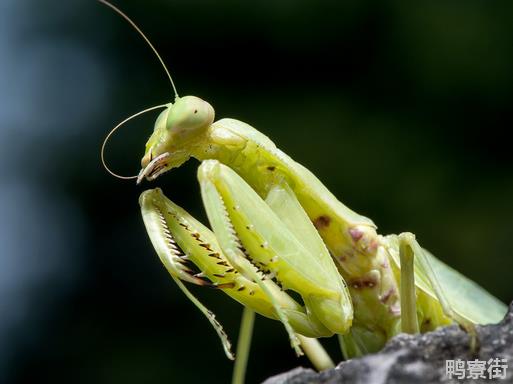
pixel 418 359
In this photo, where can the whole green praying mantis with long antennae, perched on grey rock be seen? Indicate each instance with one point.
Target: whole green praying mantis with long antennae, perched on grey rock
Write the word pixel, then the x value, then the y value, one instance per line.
pixel 275 228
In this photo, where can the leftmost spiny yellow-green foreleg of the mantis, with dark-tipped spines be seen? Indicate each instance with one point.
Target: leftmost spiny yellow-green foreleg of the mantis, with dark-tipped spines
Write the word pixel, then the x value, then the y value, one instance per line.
pixel 192 253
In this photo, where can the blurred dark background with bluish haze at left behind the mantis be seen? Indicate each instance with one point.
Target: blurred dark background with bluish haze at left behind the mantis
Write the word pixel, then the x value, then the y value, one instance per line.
pixel 401 108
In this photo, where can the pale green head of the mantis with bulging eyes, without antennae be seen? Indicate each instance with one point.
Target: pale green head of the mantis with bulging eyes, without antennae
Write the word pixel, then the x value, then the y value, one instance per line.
pixel 179 129
